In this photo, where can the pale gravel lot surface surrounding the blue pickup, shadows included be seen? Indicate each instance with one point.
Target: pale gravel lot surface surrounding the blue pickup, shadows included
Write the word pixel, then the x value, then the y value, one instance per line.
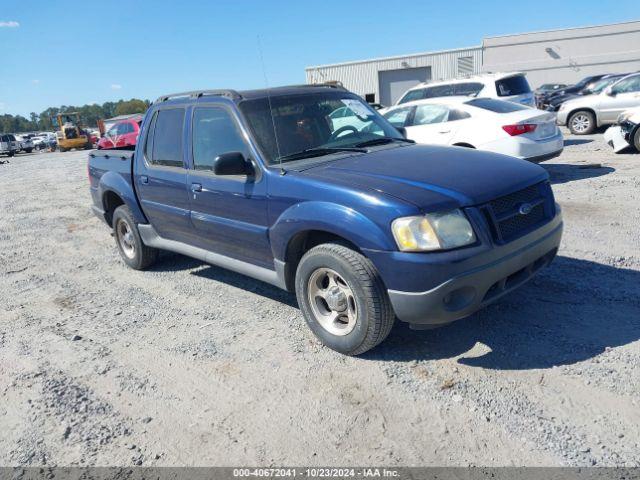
pixel 189 364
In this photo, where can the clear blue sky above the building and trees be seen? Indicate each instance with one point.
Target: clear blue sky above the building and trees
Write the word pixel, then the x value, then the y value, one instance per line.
pixel 72 53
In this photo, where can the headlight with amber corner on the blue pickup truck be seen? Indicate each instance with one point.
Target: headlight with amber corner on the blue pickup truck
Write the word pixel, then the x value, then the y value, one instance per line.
pixel 434 231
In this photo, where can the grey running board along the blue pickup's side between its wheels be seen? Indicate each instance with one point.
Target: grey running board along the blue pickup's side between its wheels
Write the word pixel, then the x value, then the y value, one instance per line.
pixel 151 239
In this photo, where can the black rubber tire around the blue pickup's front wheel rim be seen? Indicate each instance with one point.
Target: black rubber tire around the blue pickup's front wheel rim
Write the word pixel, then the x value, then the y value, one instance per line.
pixel 375 316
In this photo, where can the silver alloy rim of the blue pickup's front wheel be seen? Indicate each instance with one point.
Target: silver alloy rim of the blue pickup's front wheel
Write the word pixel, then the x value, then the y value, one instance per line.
pixel 332 302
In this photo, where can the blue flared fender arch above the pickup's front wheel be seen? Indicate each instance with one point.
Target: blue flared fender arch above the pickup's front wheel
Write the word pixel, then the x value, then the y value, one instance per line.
pixel 331 218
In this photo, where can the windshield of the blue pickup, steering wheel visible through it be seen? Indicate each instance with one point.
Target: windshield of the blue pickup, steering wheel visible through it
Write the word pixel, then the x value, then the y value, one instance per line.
pixel 324 122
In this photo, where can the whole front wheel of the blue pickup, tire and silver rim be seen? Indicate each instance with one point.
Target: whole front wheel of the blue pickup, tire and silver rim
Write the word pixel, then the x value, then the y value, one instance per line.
pixel 343 299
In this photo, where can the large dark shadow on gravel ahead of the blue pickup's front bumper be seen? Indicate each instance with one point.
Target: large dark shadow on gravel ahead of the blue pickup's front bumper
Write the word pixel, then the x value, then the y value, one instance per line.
pixel 570 313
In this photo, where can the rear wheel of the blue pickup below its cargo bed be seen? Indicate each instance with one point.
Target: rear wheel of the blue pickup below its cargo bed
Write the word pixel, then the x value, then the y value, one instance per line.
pixel 139 256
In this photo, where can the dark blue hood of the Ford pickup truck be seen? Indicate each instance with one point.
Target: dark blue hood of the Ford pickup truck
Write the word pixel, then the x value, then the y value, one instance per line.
pixel 433 177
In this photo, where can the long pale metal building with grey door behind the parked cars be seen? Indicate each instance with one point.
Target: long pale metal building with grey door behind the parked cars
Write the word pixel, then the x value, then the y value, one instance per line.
pixel 565 56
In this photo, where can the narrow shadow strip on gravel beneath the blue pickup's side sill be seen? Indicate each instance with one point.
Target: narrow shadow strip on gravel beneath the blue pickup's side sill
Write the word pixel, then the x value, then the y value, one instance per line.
pixel 170 262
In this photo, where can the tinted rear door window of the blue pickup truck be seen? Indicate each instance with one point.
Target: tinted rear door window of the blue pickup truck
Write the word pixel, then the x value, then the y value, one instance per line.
pixel 167 138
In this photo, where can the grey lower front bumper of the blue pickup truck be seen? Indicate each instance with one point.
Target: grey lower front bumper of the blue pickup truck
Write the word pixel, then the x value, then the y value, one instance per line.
pixel 487 279
